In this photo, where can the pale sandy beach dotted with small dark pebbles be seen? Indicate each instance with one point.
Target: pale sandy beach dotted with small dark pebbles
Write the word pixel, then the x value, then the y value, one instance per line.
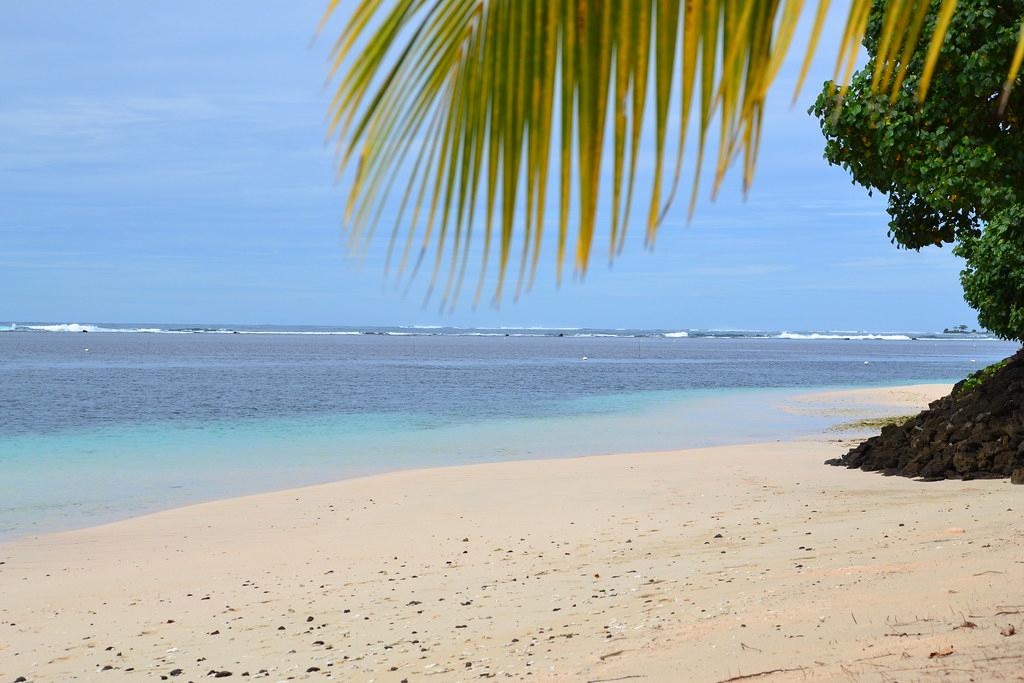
pixel 746 563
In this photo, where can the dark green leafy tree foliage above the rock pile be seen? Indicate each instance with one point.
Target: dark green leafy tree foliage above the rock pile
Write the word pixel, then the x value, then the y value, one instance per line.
pixel 953 168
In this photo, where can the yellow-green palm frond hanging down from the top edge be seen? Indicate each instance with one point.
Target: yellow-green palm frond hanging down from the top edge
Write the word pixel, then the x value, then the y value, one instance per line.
pixel 464 117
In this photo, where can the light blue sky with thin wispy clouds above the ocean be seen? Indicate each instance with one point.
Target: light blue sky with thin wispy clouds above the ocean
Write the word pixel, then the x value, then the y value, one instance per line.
pixel 165 162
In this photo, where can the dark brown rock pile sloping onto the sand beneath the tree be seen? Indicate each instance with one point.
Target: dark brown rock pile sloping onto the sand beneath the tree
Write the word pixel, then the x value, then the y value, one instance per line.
pixel 975 433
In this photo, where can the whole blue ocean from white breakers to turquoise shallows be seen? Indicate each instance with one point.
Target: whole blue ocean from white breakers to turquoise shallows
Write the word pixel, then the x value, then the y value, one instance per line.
pixel 103 422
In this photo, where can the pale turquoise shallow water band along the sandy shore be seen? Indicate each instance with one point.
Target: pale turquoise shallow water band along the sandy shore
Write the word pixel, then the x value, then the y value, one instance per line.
pixel 87 477
